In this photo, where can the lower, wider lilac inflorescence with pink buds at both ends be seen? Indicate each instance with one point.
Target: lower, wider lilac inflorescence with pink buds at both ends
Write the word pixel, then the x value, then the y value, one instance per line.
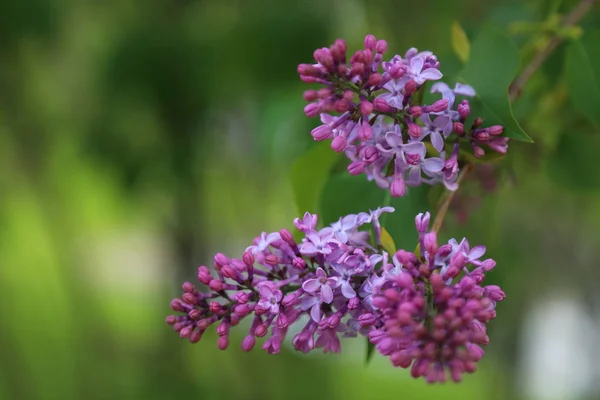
pixel 427 310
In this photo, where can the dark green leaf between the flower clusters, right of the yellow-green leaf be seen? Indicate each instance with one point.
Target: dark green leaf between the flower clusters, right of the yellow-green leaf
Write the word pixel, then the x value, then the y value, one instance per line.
pixel 345 194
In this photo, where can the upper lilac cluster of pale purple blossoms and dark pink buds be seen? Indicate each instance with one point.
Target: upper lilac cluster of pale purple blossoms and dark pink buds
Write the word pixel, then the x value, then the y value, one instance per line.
pixel 382 127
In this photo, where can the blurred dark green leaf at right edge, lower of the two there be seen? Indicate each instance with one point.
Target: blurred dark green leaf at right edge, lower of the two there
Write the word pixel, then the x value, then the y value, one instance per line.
pixel 574 164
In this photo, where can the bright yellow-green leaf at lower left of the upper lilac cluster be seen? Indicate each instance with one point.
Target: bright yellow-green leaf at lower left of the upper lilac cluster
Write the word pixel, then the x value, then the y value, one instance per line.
pixel 309 174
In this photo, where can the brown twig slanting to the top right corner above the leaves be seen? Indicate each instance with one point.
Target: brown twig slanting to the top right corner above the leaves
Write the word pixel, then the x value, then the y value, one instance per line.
pixel 573 18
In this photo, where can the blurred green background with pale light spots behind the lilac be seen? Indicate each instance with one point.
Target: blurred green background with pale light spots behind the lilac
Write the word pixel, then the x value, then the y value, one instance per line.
pixel 137 138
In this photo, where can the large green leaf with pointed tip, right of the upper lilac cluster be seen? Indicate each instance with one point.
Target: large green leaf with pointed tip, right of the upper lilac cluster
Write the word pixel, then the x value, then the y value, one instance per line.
pixel 492 65
